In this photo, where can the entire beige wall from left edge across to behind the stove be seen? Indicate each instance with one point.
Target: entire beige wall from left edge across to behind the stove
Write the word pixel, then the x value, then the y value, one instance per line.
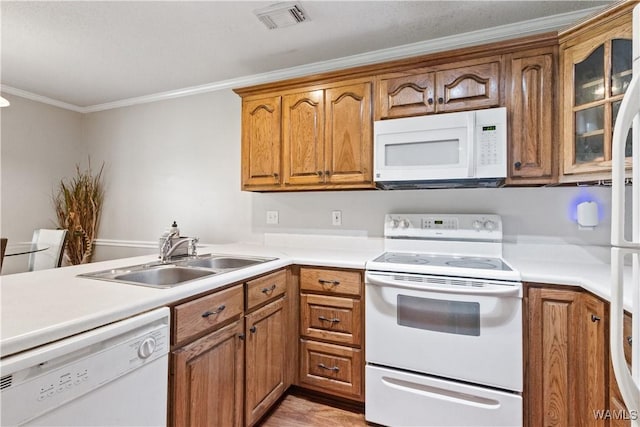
pixel 179 159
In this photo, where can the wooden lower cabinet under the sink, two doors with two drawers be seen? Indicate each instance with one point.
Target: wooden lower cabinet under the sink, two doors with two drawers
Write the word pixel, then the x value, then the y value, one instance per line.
pixel 230 353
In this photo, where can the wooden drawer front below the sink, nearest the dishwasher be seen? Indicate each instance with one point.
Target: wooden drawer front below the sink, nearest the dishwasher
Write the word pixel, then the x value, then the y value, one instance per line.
pixel 194 317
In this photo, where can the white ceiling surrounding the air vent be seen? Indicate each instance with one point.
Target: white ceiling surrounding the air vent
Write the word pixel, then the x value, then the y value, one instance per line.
pixel 89 53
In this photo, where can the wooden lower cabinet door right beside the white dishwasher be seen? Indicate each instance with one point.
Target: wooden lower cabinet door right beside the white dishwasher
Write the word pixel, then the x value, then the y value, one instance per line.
pixel 207 378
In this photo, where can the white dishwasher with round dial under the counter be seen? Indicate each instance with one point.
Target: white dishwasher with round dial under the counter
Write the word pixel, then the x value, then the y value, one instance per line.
pixel 115 375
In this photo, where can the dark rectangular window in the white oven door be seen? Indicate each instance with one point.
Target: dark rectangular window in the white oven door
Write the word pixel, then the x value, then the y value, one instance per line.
pixel 451 317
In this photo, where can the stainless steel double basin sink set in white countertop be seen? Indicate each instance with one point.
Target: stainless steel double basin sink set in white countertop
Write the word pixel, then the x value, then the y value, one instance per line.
pixel 173 273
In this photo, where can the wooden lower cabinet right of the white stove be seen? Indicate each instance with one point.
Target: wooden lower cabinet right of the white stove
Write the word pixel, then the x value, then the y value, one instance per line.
pixel 568 380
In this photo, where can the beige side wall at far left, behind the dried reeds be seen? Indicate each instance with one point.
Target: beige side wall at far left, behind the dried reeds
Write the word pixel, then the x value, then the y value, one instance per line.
pixel 40 145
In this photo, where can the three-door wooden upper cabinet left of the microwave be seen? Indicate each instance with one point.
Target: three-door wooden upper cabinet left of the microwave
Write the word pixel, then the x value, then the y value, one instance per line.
pixel 314 138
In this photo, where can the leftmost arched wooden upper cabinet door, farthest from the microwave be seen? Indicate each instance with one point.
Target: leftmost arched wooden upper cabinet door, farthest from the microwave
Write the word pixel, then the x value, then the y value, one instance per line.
pixel 261 142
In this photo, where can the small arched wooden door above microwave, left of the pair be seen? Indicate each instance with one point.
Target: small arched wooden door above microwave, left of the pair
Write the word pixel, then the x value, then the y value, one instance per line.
pixel 405 96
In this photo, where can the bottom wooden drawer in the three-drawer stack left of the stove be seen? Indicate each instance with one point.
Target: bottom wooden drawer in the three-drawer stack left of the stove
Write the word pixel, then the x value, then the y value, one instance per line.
pixel 331 368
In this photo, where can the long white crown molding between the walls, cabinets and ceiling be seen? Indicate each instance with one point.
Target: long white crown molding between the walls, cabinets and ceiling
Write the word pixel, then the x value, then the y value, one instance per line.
pixel 495 34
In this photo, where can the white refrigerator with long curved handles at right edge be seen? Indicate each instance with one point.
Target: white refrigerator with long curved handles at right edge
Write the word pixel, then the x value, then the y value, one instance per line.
pixel 627 246
